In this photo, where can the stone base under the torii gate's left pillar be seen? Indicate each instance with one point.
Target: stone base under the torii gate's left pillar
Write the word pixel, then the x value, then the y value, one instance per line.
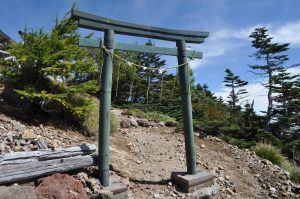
pixel 114 191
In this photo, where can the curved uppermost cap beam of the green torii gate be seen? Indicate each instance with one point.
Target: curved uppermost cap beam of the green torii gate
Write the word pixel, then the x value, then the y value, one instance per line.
pixel 76 14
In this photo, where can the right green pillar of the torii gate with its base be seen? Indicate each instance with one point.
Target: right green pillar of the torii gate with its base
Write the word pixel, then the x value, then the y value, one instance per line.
pixel 189 180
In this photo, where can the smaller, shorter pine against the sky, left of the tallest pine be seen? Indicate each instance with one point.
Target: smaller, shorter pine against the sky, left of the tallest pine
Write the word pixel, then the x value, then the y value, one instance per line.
pixel 237 92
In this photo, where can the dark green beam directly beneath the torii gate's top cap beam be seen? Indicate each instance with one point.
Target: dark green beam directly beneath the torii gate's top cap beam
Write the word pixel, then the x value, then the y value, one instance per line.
pixel 138 32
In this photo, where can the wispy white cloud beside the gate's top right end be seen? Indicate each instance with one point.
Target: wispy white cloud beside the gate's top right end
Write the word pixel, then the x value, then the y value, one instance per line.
pixel 225 40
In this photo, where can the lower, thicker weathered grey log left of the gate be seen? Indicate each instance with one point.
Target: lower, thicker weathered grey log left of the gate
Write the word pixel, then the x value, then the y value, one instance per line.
pixel 20 172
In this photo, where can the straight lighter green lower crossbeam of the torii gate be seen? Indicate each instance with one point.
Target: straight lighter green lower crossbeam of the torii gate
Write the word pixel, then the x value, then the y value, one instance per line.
pixel 96 43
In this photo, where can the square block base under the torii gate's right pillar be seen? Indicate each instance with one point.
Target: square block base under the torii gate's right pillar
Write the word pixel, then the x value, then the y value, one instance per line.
pixel 190 183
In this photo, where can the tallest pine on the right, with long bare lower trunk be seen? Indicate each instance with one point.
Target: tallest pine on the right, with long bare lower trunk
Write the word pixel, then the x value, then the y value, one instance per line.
pixel 271 55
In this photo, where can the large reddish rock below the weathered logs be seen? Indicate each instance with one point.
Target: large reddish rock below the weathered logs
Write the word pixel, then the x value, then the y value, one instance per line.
pixel 60 186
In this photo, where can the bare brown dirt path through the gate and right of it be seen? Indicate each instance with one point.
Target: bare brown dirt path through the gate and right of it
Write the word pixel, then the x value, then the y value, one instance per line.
pixel 147 156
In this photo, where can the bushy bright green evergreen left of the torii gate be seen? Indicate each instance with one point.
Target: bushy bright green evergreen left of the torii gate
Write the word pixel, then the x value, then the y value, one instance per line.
pixel 52 71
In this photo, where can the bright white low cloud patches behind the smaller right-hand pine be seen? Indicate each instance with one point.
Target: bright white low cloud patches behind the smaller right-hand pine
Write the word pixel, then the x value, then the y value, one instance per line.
pixel 256 92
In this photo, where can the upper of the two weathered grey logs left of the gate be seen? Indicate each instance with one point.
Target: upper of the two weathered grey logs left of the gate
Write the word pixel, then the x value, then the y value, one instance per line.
pixel 47 154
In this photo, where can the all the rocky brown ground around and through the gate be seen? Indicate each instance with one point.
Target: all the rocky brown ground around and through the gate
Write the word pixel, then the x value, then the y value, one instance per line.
pixel 143 155
